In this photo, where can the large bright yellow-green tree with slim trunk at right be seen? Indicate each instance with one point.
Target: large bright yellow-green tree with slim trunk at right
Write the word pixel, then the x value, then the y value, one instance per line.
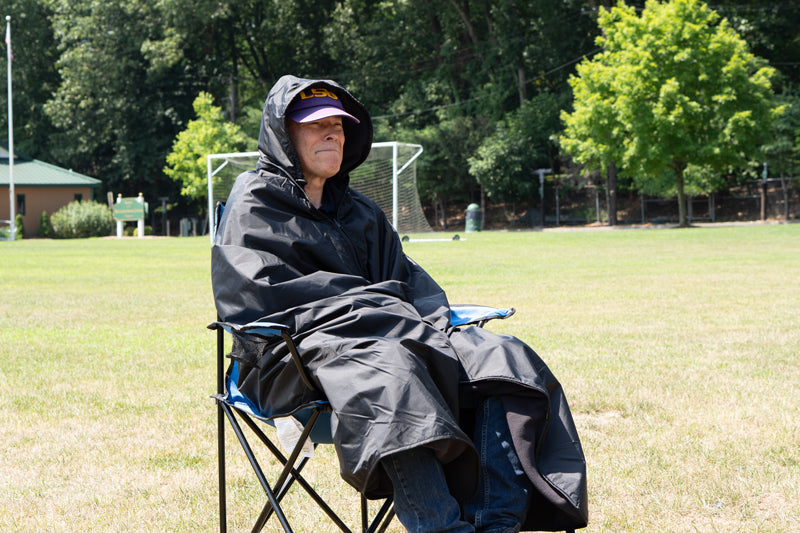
pixel 675 86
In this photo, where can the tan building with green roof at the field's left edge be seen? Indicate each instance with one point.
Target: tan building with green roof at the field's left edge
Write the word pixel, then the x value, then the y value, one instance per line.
pixel 40 187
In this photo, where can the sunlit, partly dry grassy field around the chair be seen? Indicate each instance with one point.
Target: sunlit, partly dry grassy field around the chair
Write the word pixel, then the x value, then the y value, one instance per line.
pixel 678 350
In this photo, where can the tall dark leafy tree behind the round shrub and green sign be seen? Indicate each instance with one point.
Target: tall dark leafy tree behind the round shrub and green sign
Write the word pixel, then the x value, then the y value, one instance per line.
pixel 129 71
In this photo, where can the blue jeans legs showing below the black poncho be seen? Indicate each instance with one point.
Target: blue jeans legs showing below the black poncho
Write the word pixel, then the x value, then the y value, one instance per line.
pixel 423 502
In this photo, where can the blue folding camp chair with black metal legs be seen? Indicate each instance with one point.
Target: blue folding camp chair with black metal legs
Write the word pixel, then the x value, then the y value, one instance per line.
pixel 313 417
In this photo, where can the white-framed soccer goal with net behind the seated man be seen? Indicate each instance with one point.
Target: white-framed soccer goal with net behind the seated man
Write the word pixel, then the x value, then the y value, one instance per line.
pixel 388 177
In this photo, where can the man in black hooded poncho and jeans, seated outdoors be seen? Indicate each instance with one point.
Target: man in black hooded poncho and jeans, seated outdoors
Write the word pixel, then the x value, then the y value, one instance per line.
pixel 468 429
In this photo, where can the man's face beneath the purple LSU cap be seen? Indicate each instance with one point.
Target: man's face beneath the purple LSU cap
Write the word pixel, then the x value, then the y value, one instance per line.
pixel 320 146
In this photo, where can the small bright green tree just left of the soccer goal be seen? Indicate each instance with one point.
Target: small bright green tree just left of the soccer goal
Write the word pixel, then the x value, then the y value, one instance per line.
pixel 209 133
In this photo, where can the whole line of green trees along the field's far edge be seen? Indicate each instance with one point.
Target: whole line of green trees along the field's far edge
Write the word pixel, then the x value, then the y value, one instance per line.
pixel 491 88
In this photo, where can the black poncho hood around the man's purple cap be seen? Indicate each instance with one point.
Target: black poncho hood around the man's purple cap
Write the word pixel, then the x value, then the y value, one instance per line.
pixel 277 153
